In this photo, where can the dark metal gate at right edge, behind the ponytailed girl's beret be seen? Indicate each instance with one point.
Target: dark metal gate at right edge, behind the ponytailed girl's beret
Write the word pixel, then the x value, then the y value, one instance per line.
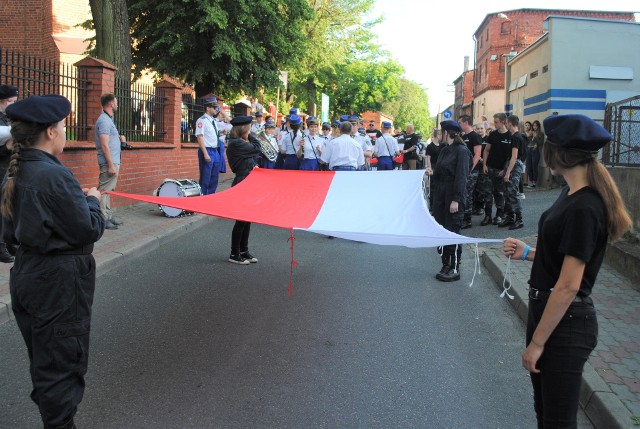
pixel 622 120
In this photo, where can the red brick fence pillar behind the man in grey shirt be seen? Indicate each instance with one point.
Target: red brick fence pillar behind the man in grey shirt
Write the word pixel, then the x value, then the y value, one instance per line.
pixel 101 76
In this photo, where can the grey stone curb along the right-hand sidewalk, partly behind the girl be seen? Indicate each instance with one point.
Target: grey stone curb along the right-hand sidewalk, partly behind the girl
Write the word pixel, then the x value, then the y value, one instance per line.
pixel 601 405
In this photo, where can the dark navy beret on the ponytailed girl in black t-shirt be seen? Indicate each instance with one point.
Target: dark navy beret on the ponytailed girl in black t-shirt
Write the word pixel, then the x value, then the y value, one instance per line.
pixel 576 132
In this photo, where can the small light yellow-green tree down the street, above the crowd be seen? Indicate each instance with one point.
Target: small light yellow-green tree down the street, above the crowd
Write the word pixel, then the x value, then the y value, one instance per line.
pixel 411 106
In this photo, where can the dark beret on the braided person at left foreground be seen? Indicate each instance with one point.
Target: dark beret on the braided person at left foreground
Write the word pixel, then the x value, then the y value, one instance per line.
pixel 41 109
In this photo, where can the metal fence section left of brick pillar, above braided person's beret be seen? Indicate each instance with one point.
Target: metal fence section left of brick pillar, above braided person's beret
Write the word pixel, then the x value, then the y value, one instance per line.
pixel 38 76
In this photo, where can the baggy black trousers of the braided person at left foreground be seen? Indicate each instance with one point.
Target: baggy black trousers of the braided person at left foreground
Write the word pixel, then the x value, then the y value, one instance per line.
pixel 51 297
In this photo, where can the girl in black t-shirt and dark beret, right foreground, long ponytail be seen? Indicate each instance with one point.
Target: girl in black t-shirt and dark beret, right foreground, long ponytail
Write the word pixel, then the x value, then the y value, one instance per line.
pixel 572 237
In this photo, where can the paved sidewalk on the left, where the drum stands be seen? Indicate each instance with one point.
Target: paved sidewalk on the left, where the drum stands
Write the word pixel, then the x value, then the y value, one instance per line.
pixel 145 228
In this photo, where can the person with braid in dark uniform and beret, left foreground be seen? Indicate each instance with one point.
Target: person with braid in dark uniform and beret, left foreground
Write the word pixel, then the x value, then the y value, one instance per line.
pixel 55 223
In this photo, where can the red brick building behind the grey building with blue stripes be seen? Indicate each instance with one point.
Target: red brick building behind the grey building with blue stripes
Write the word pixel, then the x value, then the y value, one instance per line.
pixel 506 33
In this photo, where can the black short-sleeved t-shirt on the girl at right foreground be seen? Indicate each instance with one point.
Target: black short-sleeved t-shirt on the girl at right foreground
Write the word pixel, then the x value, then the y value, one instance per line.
pixel 575 225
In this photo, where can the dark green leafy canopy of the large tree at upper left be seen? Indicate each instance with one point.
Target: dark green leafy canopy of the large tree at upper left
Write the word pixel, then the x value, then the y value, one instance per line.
pixel 226 45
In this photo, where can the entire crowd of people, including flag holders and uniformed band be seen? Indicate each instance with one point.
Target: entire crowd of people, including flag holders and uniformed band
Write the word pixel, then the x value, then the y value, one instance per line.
pixel 51 223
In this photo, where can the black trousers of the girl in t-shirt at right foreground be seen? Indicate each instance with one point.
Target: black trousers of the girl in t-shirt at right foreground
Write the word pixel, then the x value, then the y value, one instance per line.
pixel 556 389
